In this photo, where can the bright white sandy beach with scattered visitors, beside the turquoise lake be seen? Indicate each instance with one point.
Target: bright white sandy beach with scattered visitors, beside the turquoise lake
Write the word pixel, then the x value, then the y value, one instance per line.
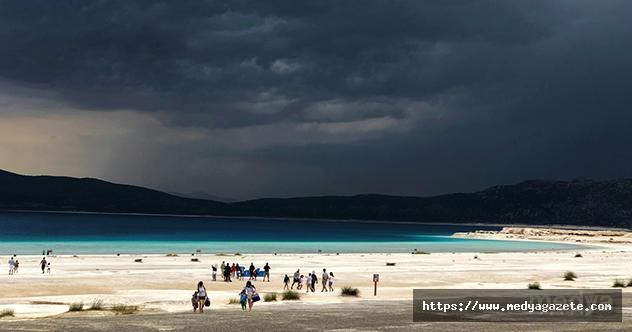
pixel 165 284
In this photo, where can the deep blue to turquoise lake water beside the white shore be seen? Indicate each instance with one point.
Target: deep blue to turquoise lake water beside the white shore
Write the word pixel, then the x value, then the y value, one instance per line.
pixel 69 233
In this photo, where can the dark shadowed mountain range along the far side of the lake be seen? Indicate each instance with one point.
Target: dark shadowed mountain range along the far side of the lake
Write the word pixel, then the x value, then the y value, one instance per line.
pixel 536 202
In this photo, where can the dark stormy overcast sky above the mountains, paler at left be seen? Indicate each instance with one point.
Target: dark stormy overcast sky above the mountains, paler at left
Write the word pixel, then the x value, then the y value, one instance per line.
pixel 247 99
